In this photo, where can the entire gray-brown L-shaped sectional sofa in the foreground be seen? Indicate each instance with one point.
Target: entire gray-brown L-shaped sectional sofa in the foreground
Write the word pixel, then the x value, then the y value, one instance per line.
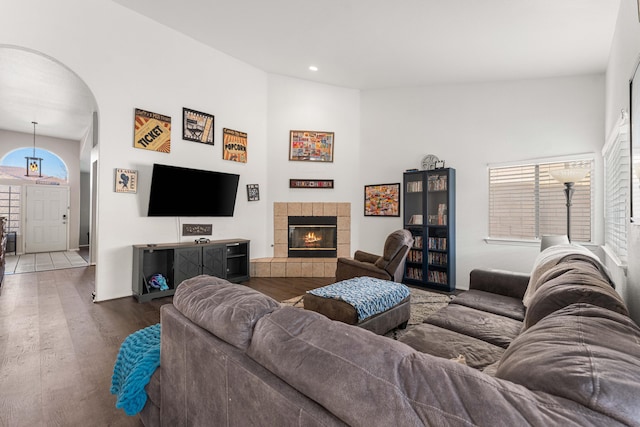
pixel 231 356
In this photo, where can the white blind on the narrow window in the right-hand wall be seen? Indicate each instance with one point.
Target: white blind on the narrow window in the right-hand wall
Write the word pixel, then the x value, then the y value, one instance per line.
pixel 617 169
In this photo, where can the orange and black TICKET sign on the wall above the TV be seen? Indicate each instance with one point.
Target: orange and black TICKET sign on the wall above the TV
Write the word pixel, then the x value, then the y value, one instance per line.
pixel 152 131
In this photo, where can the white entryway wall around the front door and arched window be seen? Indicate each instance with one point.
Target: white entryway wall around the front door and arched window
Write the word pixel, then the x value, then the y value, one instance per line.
pixel 69 152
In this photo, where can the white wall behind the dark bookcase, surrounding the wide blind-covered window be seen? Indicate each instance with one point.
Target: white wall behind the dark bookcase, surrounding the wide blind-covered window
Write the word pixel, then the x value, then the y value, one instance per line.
pixel 470 126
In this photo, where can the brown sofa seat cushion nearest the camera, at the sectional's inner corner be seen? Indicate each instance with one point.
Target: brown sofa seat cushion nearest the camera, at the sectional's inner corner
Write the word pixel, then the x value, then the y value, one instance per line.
pixel 448 344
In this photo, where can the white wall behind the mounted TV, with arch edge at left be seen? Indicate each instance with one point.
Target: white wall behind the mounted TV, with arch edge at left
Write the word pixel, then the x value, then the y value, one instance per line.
pixel 130 62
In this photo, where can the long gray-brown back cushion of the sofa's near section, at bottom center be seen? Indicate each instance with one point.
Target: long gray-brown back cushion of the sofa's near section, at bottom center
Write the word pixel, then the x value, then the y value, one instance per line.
pixel 369 380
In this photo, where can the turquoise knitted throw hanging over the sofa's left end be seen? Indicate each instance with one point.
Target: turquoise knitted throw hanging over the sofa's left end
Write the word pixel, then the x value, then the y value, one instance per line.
pixel 137 360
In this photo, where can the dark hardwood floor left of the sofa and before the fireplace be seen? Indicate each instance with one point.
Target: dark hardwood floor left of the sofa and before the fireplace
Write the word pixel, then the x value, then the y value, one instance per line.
pixel 57 347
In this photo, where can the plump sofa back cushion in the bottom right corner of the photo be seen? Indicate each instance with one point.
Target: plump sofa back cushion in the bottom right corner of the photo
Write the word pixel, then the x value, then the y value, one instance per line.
pixel 584 353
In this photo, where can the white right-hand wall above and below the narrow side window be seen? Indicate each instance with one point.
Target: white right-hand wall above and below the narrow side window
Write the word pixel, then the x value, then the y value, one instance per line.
pixel 625 52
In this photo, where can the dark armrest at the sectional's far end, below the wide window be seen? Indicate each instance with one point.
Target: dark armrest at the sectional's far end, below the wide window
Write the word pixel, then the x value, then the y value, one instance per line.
pixel 502 282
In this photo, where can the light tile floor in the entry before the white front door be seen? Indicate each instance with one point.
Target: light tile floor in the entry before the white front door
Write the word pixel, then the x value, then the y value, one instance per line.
pixel 28 263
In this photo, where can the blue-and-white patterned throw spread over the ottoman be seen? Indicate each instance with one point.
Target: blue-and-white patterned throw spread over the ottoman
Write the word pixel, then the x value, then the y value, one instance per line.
pixel 368 295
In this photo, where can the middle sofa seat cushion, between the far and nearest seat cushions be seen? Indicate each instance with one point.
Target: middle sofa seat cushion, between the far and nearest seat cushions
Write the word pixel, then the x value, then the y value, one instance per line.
pixel 485 326
